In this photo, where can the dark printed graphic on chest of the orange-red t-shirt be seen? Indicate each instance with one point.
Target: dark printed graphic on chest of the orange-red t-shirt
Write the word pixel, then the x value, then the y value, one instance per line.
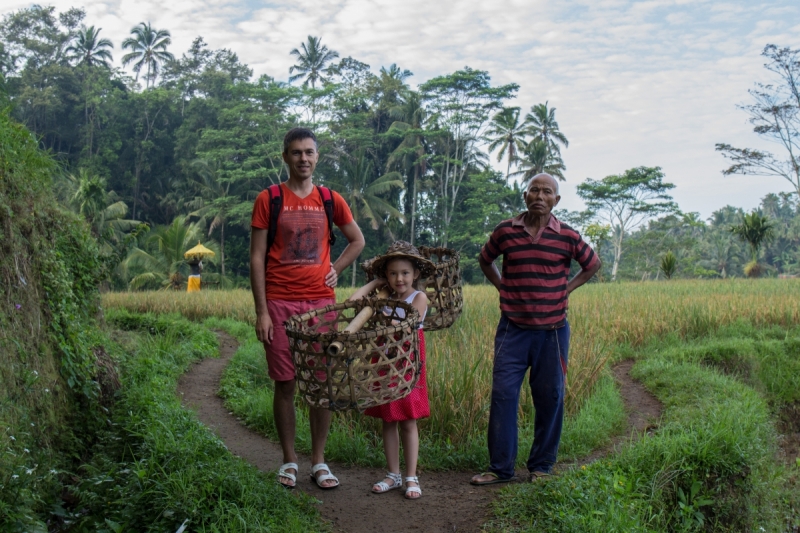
pixel 302 232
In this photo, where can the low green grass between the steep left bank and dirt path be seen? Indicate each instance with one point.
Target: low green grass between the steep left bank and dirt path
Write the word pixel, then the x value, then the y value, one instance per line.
pixel 157 467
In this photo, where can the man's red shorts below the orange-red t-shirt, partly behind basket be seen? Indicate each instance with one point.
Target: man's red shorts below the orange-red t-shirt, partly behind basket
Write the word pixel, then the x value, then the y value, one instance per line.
pixel 279 358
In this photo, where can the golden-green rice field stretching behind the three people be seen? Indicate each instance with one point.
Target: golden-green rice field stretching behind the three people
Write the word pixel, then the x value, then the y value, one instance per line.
pixel 603 317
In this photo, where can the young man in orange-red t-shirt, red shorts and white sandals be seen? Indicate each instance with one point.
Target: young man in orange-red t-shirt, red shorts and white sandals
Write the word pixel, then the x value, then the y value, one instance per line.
pixel 297 276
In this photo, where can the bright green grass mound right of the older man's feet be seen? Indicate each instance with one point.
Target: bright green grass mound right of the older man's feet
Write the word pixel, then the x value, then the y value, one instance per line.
pixel 710 466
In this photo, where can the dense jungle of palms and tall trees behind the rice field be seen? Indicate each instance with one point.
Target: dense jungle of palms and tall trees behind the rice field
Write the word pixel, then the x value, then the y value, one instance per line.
pixel 177 153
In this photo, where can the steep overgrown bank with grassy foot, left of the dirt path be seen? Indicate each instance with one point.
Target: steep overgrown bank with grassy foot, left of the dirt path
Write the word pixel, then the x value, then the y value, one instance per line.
pixel 77 451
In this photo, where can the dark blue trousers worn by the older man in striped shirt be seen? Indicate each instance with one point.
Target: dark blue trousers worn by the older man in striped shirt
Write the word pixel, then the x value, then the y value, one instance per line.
pixel 545 353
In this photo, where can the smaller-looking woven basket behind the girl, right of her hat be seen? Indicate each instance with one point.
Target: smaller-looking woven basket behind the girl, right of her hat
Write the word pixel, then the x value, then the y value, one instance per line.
pixel 444 288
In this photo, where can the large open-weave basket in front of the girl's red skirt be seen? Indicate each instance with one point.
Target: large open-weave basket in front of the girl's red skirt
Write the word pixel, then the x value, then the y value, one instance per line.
pixel 379 363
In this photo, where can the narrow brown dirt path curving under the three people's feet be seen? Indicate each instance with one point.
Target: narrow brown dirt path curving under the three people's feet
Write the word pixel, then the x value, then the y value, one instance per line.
pixel 448 504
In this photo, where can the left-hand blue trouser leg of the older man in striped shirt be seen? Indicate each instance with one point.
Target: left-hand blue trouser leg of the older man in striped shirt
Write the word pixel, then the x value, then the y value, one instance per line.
pixel 510 365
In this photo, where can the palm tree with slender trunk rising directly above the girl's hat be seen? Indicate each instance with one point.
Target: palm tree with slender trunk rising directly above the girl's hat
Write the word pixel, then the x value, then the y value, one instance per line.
pixel 410 153
